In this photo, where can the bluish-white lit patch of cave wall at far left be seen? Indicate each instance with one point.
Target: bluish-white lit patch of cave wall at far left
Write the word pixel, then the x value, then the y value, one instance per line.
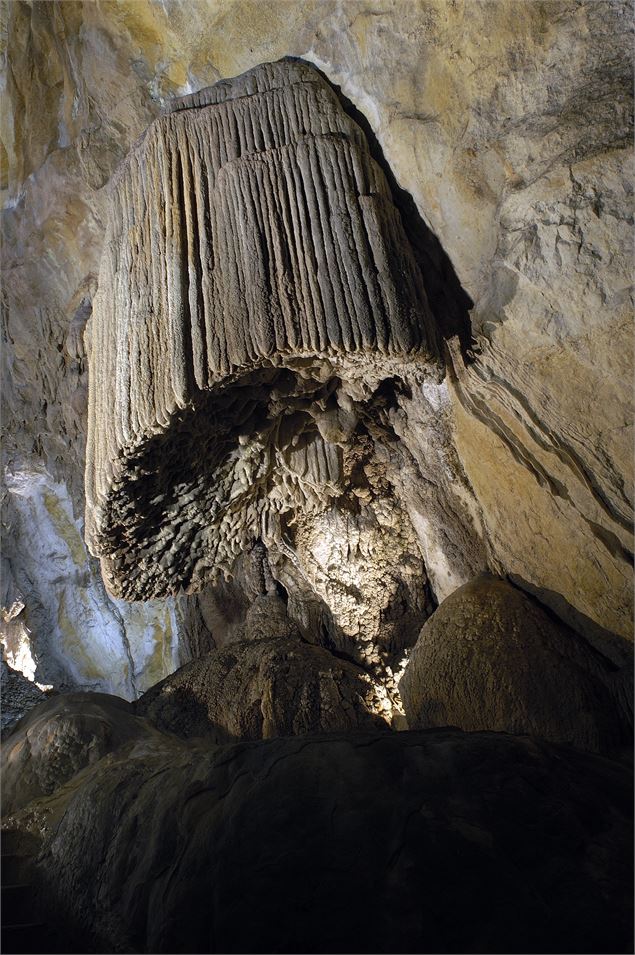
pixel 68 633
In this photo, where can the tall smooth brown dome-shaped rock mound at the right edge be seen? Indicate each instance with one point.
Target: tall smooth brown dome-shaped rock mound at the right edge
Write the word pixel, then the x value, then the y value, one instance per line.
pixel 491 658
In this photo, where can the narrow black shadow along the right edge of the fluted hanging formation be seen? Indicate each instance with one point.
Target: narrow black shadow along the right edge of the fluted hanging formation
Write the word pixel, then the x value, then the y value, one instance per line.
pixel 448 300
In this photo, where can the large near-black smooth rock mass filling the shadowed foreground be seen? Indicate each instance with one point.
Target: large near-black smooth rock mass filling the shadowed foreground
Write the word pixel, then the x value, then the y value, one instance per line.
pixel 406 842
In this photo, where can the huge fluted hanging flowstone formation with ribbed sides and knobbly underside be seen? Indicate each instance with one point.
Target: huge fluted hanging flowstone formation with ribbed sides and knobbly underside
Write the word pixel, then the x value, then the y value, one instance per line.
pixel 255 276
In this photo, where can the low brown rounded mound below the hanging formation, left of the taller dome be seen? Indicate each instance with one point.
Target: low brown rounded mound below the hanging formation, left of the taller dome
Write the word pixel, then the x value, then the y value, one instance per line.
pixel 264 688
